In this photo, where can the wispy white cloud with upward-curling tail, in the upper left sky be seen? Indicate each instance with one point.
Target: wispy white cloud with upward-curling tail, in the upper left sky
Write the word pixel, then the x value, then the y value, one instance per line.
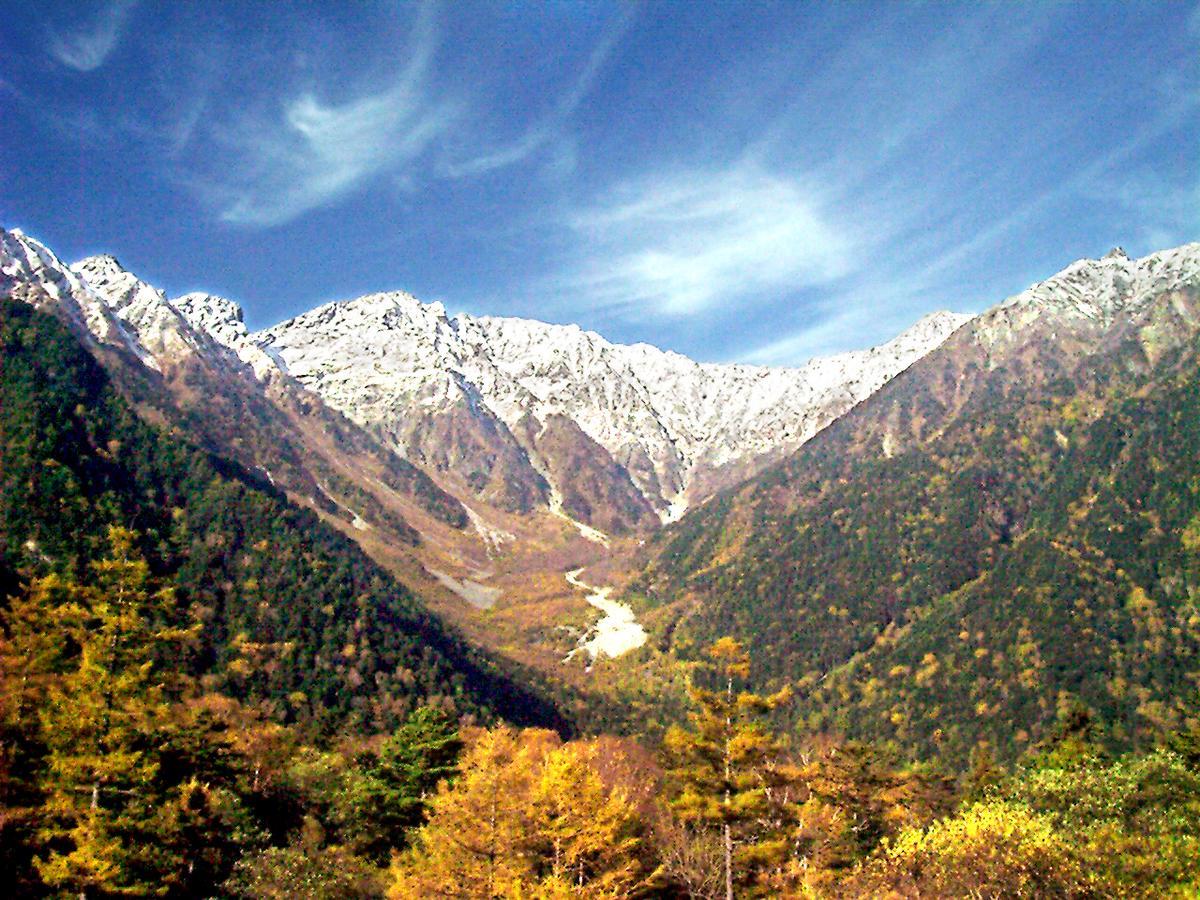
pixel 275 169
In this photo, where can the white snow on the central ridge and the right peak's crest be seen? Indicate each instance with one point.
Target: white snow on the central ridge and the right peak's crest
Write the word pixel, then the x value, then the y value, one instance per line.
pixel 680 430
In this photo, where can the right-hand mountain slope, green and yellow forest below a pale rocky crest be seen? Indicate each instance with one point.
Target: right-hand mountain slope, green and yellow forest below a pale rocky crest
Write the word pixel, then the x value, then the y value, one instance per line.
pixel 986 533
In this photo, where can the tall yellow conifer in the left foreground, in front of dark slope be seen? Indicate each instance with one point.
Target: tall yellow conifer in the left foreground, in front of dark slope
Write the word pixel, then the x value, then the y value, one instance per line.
pixel 103 725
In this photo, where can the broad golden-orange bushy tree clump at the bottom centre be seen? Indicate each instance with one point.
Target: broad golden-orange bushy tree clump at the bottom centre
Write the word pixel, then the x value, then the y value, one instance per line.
pixel 527 818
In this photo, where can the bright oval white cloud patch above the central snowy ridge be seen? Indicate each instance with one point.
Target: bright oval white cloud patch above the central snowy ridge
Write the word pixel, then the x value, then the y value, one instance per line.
pixel 679 245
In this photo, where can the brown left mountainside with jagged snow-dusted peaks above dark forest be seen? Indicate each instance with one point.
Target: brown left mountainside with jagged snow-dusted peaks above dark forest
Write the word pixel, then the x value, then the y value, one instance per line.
pixel 236 404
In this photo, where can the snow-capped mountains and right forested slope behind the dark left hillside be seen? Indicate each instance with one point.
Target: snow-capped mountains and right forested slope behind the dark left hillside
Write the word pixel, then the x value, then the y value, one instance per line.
pixel 987 513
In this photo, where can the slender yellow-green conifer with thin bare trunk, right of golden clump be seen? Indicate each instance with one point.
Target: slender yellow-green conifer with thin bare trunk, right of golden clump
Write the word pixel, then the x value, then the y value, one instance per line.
pixel 730 772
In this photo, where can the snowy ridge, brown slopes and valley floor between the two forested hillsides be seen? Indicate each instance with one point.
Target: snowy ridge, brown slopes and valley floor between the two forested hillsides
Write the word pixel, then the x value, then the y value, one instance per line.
pixel 479 461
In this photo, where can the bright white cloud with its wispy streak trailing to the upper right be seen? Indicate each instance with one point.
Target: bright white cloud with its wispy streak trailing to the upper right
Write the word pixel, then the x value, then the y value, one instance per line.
pixel 801 211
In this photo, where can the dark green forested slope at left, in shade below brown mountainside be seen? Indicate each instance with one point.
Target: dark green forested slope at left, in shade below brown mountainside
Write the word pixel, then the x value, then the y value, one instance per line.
pixel 295 614
